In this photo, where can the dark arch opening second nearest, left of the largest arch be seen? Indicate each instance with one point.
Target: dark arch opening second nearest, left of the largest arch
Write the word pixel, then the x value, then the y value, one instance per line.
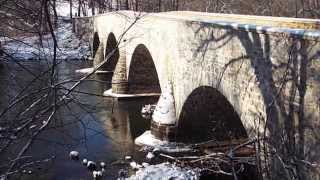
pixel 143 76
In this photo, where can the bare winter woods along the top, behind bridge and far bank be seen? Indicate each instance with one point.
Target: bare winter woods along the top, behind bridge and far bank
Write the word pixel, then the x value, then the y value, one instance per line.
pixel 20 17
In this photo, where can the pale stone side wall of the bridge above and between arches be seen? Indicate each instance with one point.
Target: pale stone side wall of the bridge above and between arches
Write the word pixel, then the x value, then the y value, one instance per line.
pixel 269 75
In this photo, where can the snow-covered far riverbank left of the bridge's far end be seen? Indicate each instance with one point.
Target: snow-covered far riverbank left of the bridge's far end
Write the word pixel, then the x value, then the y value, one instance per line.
pixel 69 46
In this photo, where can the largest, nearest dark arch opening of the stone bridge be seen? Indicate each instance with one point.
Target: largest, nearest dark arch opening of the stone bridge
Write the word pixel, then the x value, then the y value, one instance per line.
pixel 206 115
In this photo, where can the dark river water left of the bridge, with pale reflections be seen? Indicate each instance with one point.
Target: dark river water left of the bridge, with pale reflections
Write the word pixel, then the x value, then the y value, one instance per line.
pixel 101 129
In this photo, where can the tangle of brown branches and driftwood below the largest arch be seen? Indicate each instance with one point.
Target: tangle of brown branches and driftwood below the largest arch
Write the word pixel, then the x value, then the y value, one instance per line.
pixel 225 157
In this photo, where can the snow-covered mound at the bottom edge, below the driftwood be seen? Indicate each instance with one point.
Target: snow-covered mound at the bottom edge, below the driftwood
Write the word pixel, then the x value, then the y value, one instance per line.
pixel 165 171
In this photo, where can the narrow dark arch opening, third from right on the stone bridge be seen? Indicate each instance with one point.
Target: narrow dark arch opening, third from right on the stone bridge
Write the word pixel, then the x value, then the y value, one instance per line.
pixel 112 52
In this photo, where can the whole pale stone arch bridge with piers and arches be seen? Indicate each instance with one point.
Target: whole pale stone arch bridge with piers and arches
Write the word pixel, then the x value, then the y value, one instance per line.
pixel 229 76
